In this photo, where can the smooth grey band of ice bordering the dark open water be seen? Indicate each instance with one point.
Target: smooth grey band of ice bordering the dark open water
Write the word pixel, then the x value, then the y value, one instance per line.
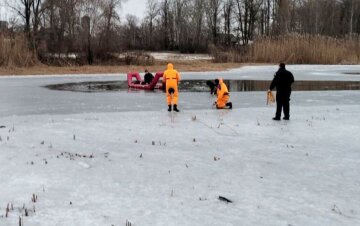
pixel 27 95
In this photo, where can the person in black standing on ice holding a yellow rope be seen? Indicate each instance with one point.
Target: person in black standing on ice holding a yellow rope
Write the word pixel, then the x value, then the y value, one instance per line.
pixel 283 80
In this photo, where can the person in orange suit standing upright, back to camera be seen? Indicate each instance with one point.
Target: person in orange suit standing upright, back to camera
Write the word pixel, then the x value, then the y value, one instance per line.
pixel 171 79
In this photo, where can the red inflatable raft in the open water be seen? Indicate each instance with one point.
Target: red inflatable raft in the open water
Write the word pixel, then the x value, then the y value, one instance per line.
pixel 137 83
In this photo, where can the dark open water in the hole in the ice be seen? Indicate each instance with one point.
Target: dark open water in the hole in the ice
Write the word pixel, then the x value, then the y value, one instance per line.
pixel 200 86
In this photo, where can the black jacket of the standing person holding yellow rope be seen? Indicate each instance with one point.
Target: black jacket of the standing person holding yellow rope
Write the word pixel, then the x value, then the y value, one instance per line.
pixel 283 80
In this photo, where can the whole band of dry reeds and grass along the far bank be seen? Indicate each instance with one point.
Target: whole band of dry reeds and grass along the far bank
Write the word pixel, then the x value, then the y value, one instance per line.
pixel 15 59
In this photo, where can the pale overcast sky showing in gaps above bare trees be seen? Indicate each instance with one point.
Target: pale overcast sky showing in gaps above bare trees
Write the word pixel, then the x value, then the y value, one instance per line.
pixel 135 7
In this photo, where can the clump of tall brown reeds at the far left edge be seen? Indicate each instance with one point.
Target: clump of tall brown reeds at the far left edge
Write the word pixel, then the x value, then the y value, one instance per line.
pixel 14 52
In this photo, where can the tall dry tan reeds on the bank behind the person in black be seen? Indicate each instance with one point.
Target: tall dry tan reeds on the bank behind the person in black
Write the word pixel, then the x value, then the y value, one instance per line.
pixel 306 49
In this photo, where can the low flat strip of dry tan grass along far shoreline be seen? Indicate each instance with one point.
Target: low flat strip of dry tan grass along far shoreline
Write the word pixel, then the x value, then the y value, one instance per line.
pixel 181 66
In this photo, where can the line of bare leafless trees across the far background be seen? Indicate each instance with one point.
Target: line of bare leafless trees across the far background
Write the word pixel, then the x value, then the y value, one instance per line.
pixel 95 29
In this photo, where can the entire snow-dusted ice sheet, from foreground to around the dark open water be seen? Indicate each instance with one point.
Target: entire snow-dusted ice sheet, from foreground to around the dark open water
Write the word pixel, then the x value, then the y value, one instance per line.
pixel 108 158
